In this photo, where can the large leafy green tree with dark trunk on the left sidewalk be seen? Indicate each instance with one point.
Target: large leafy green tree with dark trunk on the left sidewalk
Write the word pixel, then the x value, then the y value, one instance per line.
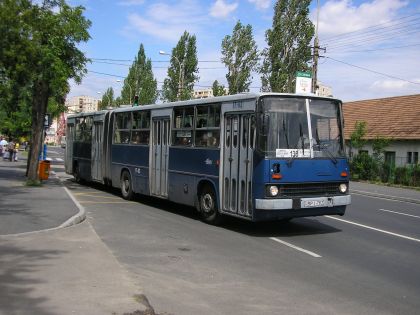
pixel 38 51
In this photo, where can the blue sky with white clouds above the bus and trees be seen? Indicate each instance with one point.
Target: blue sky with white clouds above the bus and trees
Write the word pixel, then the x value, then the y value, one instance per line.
pixel 372 48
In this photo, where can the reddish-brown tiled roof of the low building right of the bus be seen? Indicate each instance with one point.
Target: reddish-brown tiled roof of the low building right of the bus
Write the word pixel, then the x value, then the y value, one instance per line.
pixel 392 117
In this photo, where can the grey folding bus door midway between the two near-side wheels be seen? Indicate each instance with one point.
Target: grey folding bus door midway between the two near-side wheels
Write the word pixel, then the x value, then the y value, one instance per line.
pixel 160 157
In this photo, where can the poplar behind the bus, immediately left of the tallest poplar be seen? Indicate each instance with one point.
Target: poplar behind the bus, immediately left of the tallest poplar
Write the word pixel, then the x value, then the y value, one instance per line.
pixel 240 56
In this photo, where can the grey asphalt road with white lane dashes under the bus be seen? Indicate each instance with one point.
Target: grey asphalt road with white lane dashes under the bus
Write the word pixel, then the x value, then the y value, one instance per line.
pixel 366 262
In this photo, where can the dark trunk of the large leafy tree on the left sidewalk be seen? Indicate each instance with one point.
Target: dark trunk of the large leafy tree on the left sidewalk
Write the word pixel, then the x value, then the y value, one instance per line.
pixel 39 108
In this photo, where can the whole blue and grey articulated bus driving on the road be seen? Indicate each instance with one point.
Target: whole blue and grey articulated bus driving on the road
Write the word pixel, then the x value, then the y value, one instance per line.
pixel 263 156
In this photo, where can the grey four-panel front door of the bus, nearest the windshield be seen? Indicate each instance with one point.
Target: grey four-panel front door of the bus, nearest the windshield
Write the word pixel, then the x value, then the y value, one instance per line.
pixel 238 148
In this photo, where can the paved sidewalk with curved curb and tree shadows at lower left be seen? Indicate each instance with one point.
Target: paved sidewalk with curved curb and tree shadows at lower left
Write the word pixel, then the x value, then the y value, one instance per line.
pixel 58 270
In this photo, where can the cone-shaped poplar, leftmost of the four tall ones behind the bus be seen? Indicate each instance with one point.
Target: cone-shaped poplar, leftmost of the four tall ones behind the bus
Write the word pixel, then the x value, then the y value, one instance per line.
pixel 140 81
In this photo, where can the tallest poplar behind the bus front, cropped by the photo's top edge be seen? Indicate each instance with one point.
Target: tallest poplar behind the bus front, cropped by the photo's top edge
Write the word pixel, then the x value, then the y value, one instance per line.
pixel 288 48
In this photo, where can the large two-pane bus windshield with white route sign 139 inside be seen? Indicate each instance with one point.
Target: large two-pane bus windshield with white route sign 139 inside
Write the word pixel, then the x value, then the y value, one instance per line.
pixel 300 128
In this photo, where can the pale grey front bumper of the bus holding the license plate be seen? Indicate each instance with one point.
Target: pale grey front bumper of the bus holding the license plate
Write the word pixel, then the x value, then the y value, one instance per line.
pixel 302 203
